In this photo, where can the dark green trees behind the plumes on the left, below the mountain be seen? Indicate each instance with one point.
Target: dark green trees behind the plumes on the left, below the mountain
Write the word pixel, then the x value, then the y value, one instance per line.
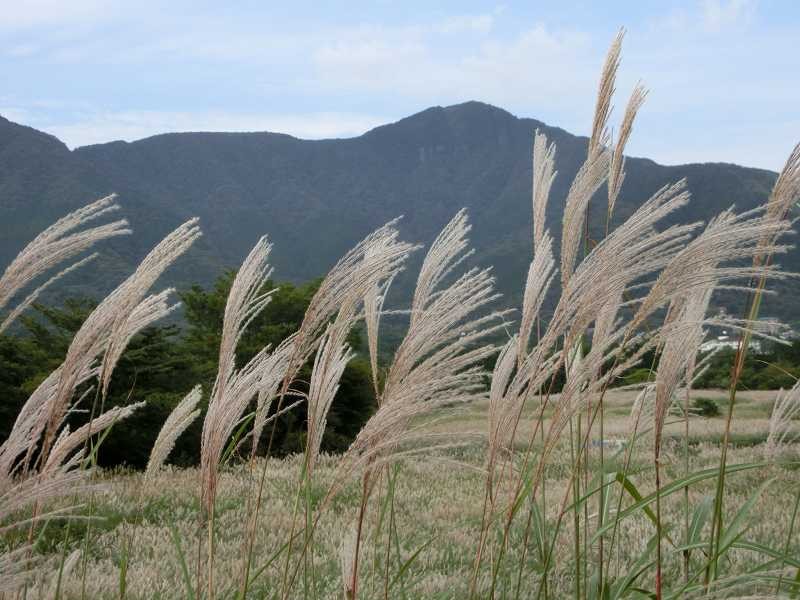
pixel 164 362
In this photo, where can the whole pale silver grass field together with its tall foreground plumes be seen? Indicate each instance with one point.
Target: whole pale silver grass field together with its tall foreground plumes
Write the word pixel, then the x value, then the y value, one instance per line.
pixel 545 477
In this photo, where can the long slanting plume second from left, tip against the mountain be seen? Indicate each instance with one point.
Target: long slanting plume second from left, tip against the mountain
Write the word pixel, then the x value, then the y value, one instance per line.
pixel 108 323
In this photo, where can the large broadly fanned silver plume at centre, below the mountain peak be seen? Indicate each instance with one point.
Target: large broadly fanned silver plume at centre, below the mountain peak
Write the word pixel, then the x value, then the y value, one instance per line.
pixel 437 362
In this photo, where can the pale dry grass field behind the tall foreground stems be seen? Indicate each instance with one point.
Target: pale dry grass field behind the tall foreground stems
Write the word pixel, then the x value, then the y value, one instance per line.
pixel 439 500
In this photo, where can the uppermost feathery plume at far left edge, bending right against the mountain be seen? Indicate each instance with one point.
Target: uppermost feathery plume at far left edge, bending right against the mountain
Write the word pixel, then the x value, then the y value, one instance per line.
pixel 59 243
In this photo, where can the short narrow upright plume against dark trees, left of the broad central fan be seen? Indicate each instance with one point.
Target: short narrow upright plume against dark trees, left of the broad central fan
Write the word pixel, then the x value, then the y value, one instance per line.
pixel 329 364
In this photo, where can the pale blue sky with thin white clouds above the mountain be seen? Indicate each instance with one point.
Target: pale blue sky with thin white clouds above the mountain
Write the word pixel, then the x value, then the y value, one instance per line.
pixel 722 74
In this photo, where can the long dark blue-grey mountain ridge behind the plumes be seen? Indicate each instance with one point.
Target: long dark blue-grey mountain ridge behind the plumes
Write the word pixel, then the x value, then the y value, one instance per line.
pixel 315 199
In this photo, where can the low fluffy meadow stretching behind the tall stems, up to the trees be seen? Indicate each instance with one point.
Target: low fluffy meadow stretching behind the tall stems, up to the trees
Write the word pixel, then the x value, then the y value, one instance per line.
pixel 435 514
